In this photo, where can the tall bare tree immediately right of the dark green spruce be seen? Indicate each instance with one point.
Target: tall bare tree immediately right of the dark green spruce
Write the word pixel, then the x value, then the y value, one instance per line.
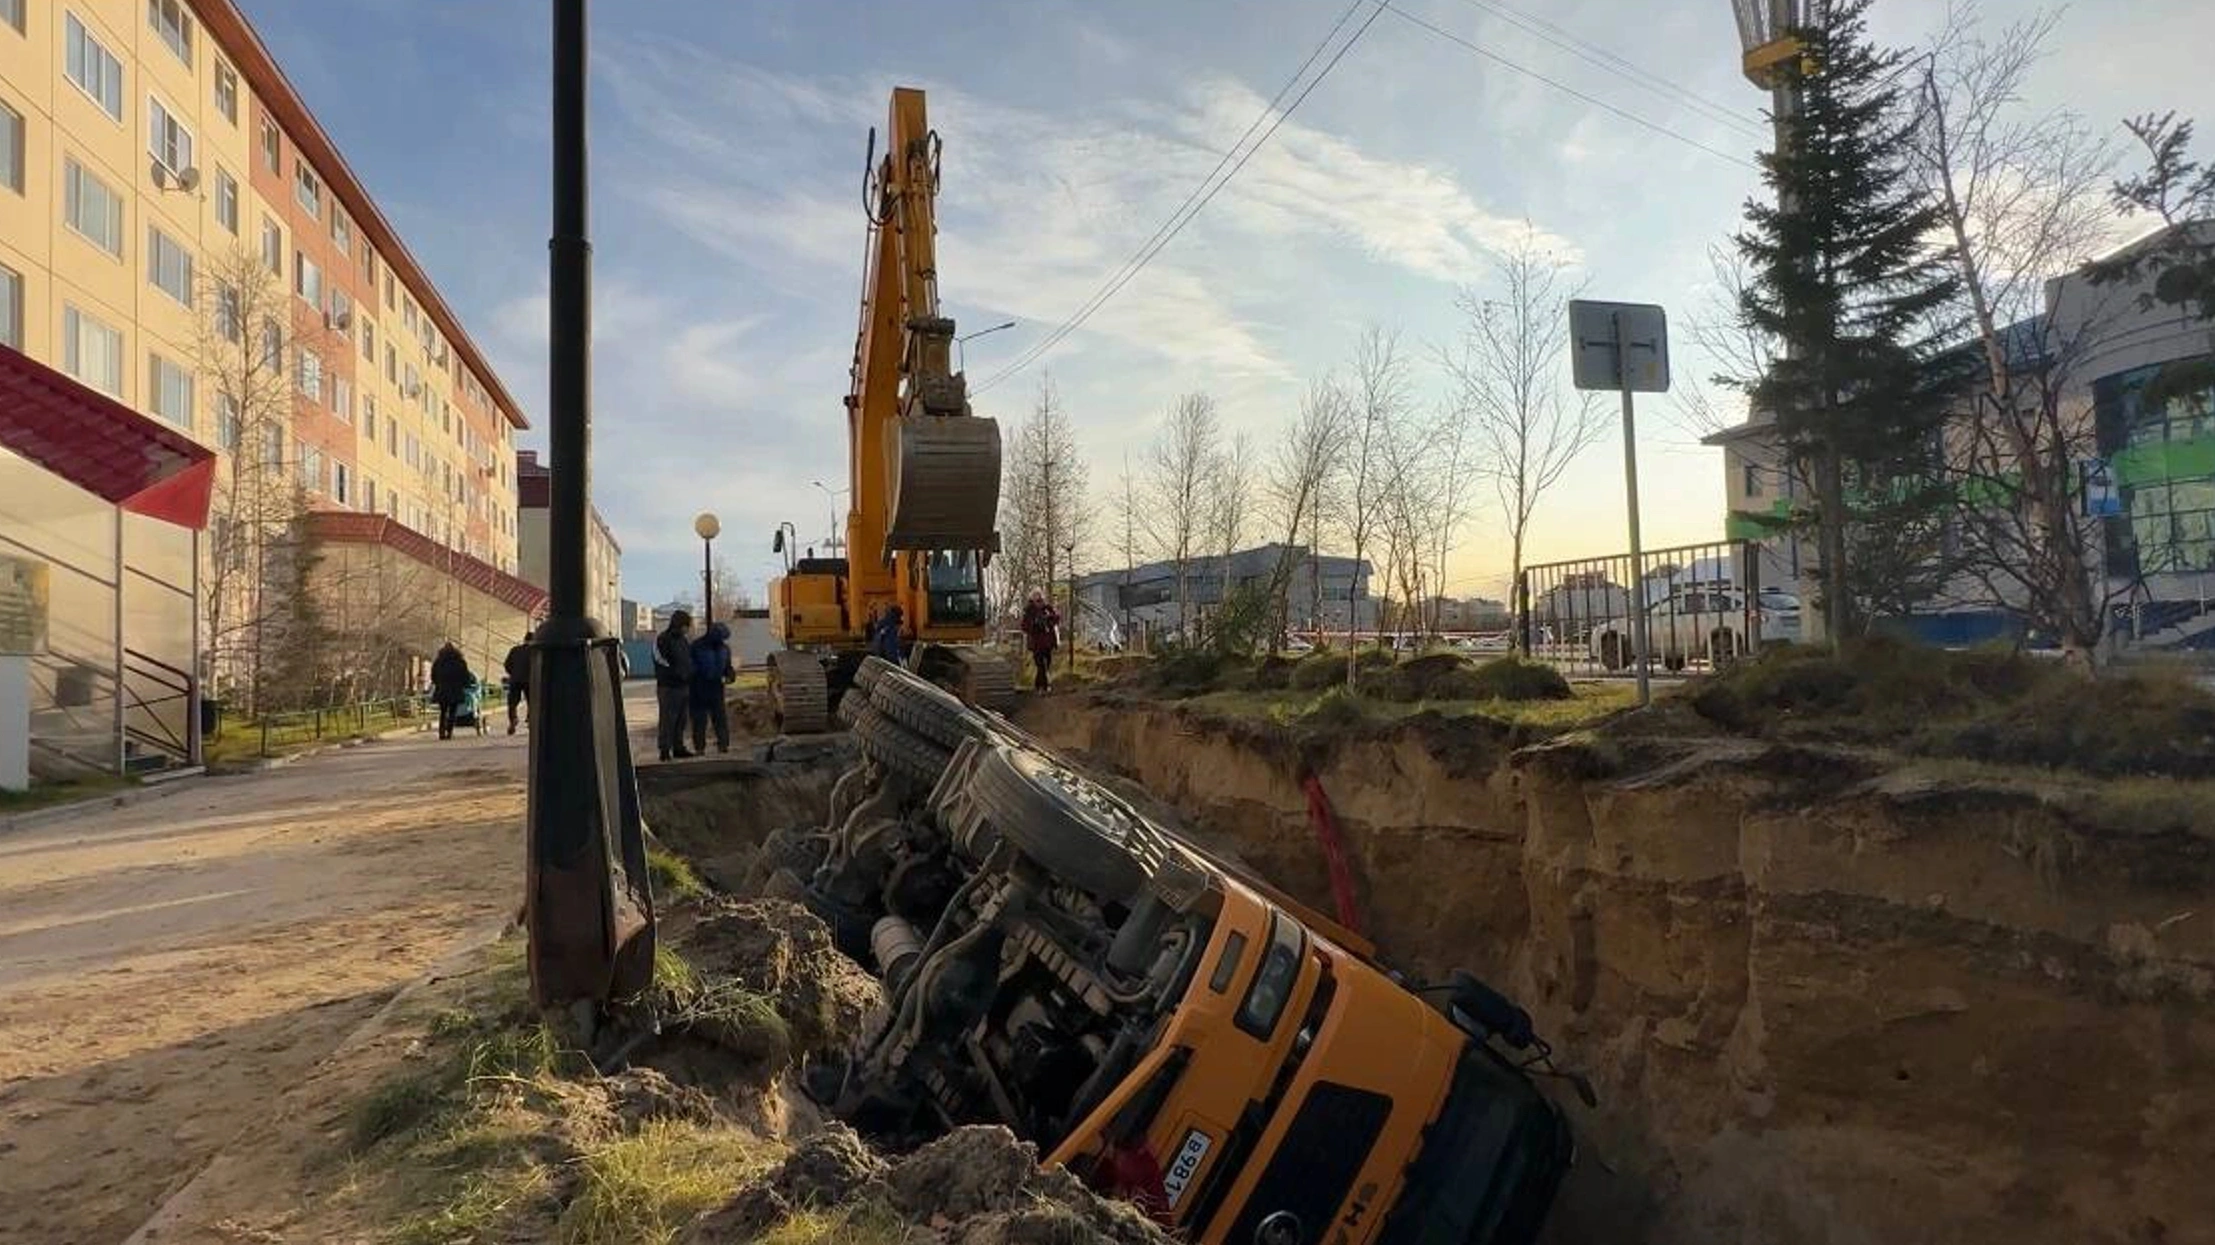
pixel 2023 203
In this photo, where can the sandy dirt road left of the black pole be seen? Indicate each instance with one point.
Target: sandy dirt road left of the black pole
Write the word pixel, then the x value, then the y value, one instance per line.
pixel 167 969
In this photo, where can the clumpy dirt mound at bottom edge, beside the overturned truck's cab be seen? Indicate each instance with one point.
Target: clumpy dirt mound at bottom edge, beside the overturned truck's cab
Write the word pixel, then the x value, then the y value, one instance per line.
pixel 976 1186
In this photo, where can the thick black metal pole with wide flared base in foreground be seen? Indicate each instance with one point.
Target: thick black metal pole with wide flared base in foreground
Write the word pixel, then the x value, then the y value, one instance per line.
pixel 588 907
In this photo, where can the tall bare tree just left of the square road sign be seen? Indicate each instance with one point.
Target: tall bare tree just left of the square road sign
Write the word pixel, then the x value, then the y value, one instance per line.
pixel 1510 378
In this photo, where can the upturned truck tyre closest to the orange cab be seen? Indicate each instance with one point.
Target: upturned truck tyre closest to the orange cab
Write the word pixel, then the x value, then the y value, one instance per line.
pixel 1064 823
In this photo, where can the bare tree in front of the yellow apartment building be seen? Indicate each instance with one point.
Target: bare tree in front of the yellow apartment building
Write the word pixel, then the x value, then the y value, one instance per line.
pixel 254 349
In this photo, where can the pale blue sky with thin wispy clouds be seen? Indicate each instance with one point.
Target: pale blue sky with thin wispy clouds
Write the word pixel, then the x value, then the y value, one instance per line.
pixel 728 152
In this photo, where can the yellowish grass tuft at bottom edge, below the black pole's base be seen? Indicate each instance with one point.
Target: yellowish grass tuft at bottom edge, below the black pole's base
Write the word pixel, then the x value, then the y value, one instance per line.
pixel 646 1186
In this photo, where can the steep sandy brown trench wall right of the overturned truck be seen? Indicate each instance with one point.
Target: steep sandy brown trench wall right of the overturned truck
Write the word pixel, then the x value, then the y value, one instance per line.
pixel 1824 1000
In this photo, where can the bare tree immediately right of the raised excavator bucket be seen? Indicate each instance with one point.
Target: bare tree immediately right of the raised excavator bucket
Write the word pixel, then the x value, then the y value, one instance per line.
pixel 1044 500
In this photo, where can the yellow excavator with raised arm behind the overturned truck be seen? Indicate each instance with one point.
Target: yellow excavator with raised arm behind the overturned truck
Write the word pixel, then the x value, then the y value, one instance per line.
pixel 923 473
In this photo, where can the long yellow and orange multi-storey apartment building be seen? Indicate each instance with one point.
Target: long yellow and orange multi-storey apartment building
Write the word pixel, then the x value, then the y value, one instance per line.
pixel 158 174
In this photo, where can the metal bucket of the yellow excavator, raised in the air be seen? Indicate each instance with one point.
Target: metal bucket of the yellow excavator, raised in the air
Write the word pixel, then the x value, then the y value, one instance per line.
pixel 945 484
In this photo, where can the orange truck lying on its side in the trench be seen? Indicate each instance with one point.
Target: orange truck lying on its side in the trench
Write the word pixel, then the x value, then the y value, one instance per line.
pixel 1153 1018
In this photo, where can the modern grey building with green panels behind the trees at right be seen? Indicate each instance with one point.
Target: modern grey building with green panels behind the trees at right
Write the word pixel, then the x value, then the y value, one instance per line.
pixel 2134 378
